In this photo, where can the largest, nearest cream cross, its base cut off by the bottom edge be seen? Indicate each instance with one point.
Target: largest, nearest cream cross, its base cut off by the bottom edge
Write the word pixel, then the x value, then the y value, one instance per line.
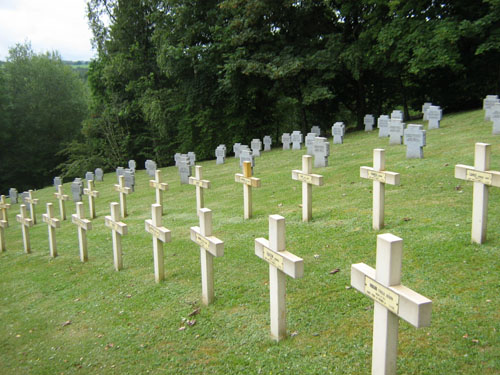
pixel 392 301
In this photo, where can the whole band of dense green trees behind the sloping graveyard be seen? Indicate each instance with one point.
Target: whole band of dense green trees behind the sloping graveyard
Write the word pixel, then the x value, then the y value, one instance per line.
pixel 177 76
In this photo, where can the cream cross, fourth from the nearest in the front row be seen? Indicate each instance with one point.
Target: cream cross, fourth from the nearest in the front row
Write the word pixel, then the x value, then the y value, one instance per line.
pixel 160 235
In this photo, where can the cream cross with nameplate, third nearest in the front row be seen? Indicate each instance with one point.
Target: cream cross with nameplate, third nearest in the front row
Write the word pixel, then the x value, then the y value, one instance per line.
pixel 210 247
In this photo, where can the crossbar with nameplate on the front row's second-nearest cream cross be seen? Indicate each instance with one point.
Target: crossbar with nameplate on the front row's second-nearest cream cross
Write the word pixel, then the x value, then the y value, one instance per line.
pixel 287 262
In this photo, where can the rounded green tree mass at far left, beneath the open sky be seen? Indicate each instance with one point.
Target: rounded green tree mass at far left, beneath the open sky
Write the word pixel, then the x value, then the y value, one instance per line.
pixel 42 105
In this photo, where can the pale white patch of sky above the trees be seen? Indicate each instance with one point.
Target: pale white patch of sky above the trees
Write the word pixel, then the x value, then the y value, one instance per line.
pixel 50 25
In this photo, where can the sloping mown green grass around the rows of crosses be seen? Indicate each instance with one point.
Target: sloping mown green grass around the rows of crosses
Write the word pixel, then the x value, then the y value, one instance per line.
pixel 61 316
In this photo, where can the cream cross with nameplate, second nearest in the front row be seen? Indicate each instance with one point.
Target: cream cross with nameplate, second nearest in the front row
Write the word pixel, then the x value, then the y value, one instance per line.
pixel 281 263
